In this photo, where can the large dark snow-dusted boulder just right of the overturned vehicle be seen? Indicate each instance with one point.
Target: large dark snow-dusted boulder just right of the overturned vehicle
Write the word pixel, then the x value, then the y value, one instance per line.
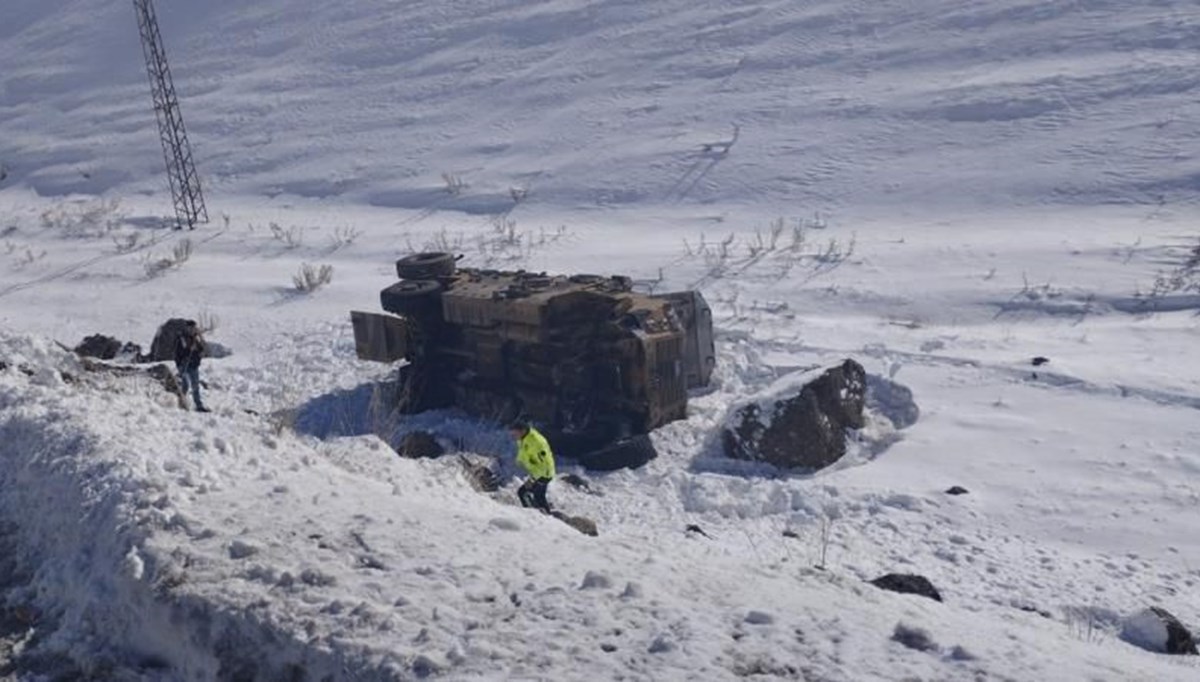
pixel 807 430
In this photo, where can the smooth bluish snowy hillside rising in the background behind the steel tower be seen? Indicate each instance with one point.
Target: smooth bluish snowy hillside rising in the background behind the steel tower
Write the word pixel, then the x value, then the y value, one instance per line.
pixel 609 104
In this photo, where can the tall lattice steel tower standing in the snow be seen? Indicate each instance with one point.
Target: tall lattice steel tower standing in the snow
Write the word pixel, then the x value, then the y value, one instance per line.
pixel 185 184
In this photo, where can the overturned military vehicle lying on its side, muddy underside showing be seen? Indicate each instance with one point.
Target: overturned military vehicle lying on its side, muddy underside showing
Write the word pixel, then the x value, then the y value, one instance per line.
pixel 592 363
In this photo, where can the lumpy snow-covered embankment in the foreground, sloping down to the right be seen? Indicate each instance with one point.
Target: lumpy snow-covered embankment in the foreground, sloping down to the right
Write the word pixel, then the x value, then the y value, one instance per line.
pixel 175 546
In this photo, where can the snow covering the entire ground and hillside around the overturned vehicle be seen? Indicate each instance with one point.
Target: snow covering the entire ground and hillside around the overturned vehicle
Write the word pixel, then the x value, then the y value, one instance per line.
pixel 940 190
